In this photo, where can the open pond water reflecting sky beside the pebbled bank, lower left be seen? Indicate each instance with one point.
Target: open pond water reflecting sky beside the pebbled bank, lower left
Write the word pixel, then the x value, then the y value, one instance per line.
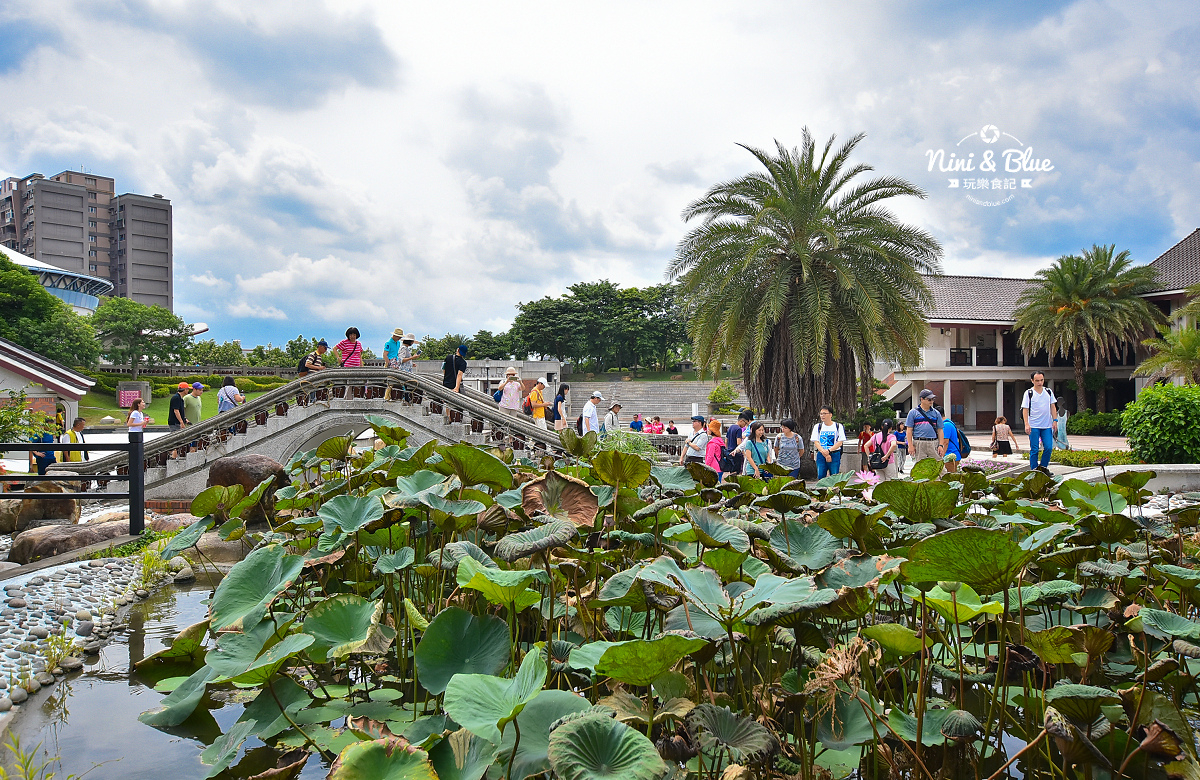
pixel 93 719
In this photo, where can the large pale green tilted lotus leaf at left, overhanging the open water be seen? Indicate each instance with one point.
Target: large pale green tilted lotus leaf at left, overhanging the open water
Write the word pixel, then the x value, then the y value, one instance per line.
pixel 253 585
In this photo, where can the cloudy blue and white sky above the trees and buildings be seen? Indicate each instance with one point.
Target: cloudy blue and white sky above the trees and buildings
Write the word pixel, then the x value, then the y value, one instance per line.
pixel 429 166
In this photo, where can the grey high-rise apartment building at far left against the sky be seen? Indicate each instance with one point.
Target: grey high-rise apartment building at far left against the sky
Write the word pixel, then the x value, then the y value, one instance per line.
pixel 75 221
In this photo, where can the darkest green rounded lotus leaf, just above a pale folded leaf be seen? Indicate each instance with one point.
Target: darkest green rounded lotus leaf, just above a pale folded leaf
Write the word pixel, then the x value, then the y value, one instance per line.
pixel 458 643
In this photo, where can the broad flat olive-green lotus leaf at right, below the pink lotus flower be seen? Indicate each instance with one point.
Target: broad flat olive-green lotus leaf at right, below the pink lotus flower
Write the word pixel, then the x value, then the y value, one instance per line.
pixel 989 561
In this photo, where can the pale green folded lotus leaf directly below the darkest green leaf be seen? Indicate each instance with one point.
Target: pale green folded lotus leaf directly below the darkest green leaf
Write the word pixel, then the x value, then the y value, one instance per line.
pixel 485 705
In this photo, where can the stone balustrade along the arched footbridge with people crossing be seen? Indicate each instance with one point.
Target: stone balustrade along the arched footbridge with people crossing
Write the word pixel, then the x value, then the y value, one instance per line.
pixel 387 386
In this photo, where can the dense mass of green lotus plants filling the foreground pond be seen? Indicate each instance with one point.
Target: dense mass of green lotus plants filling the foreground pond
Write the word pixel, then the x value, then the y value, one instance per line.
pixel 452 613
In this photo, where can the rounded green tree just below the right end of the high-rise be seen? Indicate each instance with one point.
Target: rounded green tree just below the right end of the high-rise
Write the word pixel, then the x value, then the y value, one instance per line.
pixel 131 333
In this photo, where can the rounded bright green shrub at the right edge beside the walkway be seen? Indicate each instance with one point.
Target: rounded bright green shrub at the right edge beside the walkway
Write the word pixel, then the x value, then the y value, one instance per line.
pixel 1163 424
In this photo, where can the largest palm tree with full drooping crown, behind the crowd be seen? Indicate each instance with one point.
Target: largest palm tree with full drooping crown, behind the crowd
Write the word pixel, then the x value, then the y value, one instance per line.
pixel 802 274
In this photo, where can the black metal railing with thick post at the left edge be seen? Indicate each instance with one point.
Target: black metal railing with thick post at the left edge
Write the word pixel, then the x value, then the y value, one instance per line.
pixel 136 478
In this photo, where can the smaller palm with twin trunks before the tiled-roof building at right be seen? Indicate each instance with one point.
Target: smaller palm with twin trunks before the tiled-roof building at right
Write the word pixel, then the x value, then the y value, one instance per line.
pixel 1085 304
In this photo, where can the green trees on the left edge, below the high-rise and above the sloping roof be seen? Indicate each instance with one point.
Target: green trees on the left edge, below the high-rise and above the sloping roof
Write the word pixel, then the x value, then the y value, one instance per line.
pixel 34 319
